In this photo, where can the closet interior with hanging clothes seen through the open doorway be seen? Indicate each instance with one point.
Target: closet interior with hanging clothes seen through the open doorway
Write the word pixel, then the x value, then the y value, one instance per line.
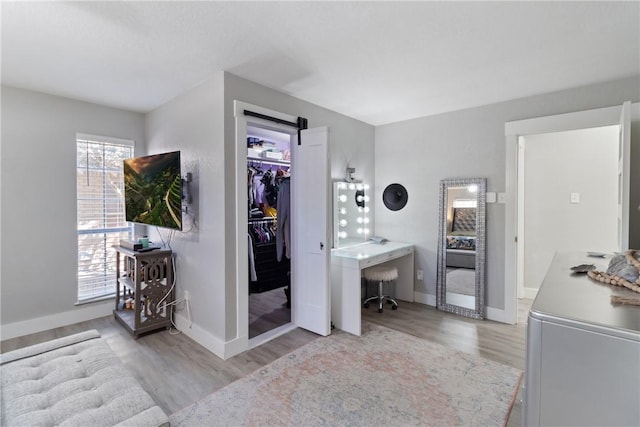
pixel 269 229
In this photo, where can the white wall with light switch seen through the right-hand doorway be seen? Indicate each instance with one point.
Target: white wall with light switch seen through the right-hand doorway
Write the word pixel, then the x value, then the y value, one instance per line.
pixel 556 165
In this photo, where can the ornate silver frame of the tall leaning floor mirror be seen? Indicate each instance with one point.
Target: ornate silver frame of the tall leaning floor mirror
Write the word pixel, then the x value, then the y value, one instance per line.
pixel 441 286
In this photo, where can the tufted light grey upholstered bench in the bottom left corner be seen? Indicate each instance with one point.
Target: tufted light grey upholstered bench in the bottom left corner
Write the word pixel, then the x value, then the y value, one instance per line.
pixel 73 381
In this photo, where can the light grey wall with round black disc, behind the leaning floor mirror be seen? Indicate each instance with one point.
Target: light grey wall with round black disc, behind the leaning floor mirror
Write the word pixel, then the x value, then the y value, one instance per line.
pixel 419 153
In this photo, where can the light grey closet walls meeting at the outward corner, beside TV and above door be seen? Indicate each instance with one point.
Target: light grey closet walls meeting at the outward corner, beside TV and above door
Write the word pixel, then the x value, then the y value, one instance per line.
pixel 201 125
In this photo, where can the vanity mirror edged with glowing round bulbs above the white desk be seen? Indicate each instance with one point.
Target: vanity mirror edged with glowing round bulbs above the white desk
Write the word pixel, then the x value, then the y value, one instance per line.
pixel 351 222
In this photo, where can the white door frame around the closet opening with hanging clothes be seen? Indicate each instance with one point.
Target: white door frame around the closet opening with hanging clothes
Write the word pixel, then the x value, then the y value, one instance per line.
pixel 242 122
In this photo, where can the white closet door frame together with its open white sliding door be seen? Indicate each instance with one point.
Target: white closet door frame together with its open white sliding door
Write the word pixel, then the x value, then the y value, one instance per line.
pixel 309 291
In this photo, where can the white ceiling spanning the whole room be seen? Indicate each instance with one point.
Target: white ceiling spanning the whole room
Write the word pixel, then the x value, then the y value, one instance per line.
pixel 379 62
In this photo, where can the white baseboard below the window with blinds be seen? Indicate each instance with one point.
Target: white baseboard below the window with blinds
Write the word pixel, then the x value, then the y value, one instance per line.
pixel 44 323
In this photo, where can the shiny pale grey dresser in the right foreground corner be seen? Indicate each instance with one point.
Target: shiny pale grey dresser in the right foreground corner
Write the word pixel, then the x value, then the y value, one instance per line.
pixel 583 352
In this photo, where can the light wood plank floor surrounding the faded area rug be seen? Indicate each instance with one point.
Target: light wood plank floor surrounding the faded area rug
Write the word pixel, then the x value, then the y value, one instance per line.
pixel 176 371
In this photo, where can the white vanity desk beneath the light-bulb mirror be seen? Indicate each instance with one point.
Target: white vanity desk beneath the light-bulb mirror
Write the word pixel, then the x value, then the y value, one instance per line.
pixel 346 278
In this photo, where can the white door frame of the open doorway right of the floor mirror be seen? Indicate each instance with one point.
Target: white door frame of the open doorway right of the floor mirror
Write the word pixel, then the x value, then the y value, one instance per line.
pixel 513 130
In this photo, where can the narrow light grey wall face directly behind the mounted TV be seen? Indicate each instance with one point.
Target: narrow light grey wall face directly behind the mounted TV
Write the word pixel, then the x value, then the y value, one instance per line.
pixel 193 123
